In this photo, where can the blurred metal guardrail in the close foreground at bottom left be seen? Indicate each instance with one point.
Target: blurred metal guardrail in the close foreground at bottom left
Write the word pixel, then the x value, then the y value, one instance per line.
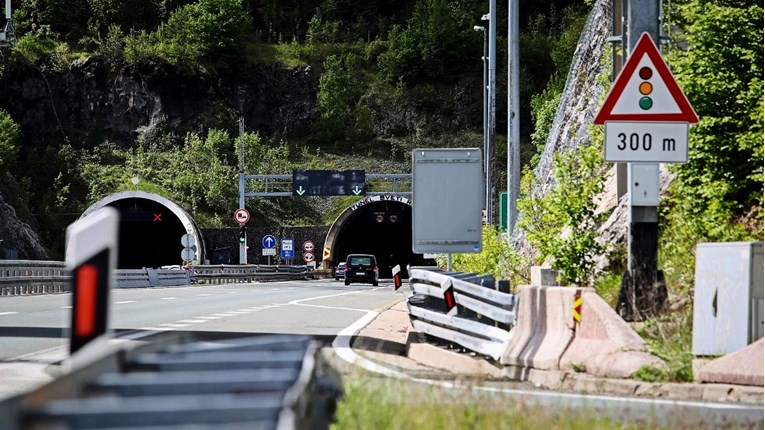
pixel 267 382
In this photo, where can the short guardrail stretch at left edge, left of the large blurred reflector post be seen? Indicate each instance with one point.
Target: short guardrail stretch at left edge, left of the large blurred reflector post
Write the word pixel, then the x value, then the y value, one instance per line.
pixel 19 277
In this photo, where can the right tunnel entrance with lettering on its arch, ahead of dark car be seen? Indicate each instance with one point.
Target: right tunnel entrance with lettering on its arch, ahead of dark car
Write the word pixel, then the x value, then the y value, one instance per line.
pixel 379 225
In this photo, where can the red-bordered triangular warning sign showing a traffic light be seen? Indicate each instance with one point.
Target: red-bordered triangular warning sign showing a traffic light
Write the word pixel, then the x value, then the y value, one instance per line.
pixel 646 91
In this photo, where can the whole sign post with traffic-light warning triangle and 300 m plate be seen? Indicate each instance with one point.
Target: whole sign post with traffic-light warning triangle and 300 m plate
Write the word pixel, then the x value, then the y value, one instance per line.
pixel 646 116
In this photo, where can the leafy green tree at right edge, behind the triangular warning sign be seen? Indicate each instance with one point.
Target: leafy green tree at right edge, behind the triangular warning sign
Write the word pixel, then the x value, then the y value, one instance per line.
pixel 721 72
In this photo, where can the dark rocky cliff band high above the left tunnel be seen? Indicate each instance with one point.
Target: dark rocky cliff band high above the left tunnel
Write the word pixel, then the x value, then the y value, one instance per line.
pixel 90 104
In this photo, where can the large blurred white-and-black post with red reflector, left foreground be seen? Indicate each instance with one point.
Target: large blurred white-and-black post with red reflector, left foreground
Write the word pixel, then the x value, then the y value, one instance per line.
pixel 91 256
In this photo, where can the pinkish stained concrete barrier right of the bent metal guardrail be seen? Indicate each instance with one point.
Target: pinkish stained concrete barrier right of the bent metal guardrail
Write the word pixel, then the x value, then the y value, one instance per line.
pixel 546 337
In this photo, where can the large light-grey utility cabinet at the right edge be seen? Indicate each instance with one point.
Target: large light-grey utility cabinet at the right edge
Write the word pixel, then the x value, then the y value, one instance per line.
pixel 728 298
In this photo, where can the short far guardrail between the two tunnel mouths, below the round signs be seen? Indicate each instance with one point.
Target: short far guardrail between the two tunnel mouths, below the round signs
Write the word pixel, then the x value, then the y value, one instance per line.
pixel 222 274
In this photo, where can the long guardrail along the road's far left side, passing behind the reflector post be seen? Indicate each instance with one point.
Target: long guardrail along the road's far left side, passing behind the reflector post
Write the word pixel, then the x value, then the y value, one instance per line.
pixel 28 277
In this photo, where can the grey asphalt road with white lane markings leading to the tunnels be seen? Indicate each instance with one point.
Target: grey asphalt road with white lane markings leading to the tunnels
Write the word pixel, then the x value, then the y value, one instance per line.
pixel 34 329
